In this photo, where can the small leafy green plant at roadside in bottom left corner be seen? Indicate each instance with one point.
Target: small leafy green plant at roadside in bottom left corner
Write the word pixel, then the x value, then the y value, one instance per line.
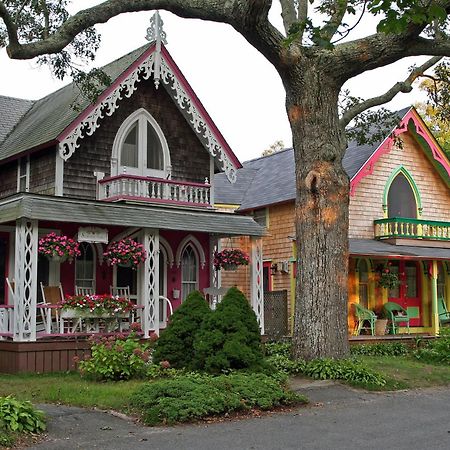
pixel 20 416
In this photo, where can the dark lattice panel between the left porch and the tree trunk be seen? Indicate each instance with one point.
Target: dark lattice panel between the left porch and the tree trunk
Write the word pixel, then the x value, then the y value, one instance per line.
pixel 275 314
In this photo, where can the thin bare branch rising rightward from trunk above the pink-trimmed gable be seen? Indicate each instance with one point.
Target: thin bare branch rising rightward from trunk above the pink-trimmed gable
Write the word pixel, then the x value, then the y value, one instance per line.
pixel 401 86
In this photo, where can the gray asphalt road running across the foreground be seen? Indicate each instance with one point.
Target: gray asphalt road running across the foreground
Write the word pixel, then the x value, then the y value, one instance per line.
pixel 337 418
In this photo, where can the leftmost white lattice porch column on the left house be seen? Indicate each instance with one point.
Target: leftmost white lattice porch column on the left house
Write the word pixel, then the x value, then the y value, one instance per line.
pixel 25 280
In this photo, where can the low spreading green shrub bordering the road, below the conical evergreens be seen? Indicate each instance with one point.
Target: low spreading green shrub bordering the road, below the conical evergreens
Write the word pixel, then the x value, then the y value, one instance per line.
pixel 188 397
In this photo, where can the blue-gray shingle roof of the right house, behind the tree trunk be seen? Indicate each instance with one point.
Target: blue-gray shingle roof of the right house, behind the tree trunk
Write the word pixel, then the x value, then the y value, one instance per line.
pixel 271 179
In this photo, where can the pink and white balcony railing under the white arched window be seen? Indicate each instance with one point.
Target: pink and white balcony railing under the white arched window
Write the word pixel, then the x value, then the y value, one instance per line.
pixel 132 187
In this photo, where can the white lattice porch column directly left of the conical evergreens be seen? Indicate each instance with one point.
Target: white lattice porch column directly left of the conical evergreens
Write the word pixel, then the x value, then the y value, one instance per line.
pixel 150 283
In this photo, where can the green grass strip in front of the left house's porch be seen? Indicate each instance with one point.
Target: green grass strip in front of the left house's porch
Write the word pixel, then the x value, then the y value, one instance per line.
pixel 68 389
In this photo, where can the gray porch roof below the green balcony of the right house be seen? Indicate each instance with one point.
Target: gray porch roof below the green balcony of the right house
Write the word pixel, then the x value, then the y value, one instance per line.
pixel 373 248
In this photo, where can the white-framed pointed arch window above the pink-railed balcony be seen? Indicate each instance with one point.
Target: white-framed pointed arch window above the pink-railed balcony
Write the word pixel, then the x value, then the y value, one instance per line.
pixel 140 147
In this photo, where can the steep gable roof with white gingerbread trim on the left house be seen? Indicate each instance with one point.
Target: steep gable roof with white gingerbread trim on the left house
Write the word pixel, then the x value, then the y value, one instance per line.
pixel 53 119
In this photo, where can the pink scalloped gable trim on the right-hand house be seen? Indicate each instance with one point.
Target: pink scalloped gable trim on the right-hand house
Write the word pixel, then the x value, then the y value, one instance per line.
pixel 386 146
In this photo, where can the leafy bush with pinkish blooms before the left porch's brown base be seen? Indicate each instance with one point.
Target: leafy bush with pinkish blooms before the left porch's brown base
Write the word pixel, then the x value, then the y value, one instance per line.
pixel 116 358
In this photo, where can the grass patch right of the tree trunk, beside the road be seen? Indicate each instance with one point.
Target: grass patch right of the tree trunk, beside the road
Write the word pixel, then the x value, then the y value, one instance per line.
pixel 404 372
